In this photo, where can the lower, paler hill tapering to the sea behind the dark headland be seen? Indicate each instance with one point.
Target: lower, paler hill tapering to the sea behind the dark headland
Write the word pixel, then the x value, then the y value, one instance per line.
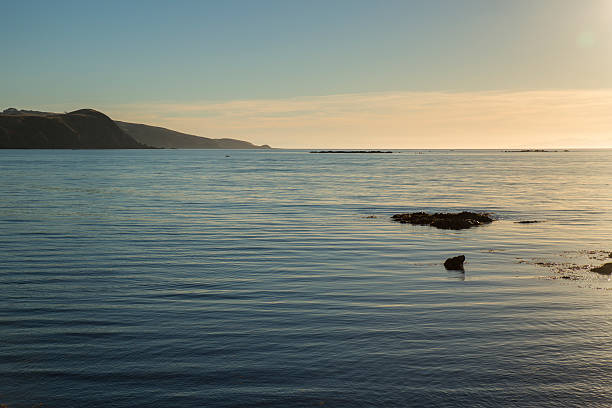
pixel 165 138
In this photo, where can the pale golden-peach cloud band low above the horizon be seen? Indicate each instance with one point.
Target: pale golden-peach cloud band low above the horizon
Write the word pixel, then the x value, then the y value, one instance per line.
pixel 555 118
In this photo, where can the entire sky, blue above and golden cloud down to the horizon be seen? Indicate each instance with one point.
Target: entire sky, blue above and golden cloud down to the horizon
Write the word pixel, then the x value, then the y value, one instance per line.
pixel 336 74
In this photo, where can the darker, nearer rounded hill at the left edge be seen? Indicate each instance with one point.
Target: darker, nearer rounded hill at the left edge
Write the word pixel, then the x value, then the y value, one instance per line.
pixel 81 129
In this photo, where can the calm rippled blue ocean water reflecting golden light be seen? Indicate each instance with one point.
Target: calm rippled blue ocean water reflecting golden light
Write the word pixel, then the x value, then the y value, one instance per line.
pixel 185 278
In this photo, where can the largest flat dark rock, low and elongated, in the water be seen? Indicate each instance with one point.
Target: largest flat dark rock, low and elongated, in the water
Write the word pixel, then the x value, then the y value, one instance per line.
pixel 454 221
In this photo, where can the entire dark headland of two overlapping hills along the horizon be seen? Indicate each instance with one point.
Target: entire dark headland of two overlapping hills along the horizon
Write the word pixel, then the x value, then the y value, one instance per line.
pixel 90 129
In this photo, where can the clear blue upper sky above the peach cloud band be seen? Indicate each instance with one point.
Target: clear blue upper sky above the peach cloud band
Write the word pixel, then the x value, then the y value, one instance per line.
pixel 79 53
